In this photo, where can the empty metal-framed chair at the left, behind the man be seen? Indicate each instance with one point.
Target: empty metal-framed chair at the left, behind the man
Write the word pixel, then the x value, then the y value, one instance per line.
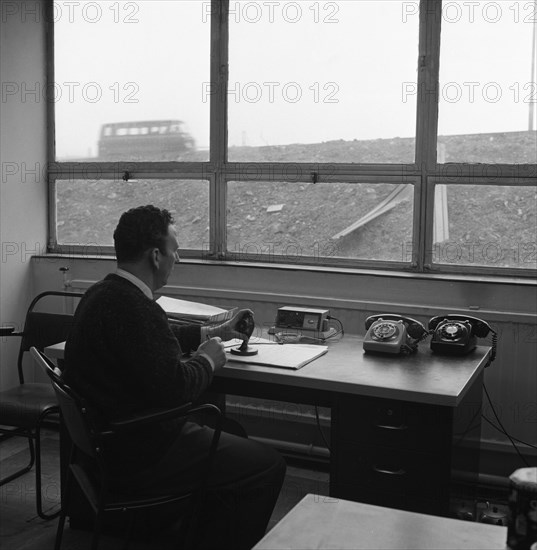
pixel 24 408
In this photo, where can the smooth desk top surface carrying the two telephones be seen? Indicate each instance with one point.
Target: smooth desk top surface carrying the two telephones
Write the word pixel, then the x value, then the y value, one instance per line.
pixel 422 377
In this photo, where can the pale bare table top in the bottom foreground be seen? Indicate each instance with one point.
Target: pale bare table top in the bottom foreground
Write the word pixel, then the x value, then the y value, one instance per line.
pixel 318 522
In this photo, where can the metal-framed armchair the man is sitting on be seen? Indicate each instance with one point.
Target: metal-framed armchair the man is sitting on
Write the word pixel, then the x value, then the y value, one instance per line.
pixel 88 439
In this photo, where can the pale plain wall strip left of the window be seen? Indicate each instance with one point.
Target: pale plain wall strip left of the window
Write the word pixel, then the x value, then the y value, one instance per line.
pixel 23 192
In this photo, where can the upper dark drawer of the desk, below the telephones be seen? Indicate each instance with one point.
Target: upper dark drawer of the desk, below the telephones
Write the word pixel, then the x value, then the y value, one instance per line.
pixel 391 423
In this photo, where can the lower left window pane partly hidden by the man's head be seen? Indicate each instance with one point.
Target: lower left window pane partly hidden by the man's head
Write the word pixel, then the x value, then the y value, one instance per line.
pixel 88 210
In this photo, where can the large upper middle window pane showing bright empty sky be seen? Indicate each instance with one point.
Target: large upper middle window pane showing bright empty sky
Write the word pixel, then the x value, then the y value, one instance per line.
pixel 311 85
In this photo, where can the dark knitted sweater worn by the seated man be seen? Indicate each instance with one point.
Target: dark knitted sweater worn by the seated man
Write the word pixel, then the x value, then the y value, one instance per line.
pixel 123 356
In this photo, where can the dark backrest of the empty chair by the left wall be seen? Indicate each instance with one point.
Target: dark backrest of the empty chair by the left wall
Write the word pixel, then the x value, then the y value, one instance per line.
pixel 43 329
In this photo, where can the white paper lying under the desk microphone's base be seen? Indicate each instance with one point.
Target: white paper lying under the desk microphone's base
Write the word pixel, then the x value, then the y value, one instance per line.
pixel 272 354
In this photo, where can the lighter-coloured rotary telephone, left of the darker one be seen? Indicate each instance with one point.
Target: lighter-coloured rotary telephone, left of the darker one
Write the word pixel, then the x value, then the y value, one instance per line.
pixel 390 333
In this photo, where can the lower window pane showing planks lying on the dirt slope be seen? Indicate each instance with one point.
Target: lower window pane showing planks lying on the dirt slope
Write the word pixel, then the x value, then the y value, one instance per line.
pixel 335 220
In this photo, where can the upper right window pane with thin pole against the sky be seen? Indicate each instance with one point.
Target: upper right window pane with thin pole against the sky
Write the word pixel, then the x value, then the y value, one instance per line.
pixel 487 83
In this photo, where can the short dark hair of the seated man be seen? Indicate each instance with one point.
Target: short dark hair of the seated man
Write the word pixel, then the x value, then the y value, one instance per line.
pixel 139 229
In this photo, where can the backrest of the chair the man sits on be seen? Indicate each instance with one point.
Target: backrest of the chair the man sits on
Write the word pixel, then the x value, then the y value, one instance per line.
pixel 73 410
